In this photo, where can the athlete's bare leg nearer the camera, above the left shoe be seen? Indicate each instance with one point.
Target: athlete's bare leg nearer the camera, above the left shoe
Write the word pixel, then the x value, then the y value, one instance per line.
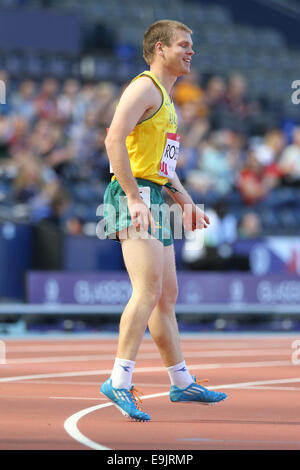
pixel 144 262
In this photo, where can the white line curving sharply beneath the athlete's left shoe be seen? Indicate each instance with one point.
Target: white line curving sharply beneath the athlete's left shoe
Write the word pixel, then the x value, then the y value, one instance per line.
pixel 71 424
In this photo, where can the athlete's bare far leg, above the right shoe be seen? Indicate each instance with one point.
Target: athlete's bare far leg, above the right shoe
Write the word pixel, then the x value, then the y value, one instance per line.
pixel 162 323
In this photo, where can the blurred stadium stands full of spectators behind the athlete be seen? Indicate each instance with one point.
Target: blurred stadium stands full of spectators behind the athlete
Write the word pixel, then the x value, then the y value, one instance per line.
pixel 64 64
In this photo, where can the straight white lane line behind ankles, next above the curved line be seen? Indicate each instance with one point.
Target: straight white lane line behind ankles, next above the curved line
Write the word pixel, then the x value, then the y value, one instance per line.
pixel 198 367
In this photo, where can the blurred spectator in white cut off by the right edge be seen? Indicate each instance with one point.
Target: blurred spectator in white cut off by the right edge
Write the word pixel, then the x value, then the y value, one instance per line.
pixel 289 162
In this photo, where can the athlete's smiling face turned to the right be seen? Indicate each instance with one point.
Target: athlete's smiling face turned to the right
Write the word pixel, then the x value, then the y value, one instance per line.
pixel 179 54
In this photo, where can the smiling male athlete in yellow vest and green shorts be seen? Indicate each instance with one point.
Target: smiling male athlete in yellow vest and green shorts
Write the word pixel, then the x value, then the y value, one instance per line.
pixel 142 146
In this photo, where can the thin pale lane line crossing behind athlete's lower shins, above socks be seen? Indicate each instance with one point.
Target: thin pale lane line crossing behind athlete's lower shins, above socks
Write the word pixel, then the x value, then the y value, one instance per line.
pixel 109 357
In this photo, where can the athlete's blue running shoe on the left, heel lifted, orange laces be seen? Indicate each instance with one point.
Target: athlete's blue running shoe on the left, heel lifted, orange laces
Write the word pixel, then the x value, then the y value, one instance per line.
pixel 125 400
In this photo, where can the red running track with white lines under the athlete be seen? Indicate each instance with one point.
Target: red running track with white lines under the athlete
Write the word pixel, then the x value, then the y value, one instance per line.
pixel 49 395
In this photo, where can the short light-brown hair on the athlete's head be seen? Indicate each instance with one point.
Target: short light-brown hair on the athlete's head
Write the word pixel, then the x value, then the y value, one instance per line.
pixel 161 31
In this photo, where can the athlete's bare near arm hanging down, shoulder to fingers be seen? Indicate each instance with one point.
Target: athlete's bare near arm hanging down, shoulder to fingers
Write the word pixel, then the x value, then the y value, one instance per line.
pixel 140 100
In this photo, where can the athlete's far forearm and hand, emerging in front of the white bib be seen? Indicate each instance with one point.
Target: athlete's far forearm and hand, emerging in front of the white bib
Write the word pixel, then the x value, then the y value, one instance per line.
pixel 193 216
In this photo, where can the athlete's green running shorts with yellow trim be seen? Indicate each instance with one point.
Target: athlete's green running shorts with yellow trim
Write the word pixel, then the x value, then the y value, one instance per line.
pixel 117 217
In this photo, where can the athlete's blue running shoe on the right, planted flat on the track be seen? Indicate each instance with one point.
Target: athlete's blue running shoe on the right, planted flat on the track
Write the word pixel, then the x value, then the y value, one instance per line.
pixel 196 393
